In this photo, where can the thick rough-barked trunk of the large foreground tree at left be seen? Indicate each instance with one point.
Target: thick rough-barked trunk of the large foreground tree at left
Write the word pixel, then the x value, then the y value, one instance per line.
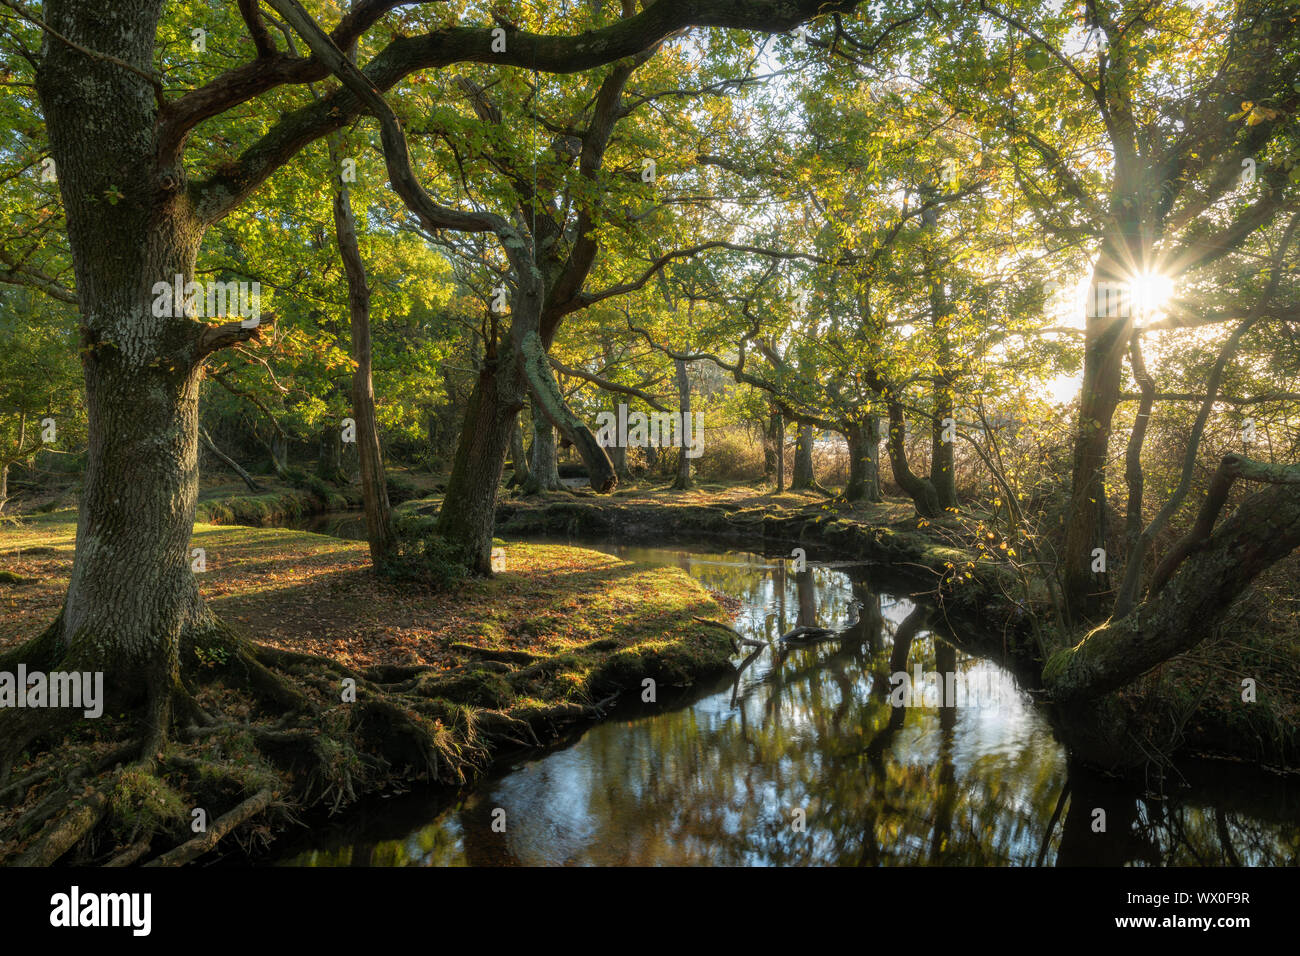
pixel 132 594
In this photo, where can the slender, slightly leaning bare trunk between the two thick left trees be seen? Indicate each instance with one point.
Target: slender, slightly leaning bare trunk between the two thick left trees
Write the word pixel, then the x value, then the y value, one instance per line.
pixel 375 494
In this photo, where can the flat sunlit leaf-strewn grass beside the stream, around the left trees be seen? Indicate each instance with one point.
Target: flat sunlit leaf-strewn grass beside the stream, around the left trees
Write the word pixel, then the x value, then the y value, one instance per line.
pixel 317 595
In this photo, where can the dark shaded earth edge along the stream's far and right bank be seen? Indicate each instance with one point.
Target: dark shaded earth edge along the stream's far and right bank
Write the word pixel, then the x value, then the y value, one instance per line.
pixel 1256 738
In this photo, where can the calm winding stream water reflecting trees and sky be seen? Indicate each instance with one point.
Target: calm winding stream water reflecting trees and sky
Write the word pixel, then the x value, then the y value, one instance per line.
pixel 807 758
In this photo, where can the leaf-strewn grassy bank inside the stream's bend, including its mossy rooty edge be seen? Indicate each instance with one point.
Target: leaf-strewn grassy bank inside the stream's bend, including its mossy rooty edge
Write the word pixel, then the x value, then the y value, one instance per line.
pixel 504 663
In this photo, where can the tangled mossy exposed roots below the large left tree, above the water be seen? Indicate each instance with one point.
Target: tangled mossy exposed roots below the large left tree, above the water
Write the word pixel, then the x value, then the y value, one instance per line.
pixel 250 736
